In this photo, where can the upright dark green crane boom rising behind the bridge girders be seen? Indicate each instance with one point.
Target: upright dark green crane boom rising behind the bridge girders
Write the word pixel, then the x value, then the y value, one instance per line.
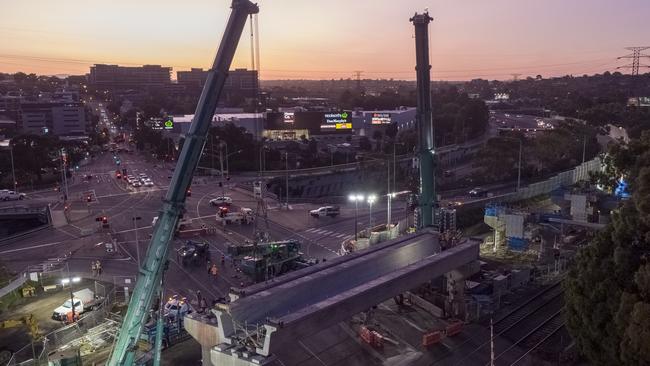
pixel 423 117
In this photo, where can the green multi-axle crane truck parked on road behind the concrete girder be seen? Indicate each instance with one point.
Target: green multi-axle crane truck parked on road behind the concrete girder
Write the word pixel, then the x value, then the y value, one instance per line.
pixel 267 260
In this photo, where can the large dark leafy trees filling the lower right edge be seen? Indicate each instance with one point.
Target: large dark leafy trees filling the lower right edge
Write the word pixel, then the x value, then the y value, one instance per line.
pixel 608 289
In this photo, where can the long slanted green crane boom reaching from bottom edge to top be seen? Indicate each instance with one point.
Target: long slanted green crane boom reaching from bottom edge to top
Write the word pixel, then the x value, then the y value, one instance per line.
pixel 151 272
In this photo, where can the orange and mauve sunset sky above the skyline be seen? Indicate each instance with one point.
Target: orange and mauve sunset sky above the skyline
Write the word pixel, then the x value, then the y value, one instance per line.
pixel 322 39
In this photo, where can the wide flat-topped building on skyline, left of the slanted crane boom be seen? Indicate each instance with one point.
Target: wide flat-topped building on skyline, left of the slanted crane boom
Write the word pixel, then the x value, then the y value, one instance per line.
pixel 114 76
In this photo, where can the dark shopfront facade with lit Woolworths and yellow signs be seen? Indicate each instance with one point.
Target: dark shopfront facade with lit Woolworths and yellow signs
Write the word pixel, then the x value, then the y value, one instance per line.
pixel 314 122
